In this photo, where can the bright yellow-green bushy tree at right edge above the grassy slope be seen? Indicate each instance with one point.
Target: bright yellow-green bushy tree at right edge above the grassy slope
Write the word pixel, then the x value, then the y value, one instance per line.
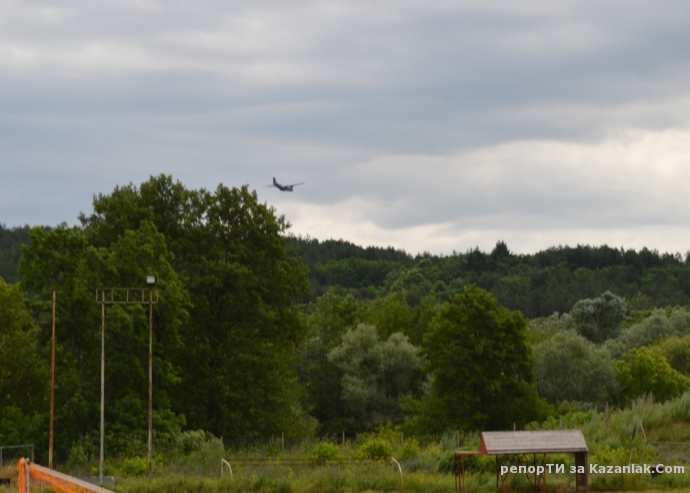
pixel 645 371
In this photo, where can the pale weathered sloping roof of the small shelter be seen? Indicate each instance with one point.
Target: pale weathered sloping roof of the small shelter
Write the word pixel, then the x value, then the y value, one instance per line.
pixel 528 442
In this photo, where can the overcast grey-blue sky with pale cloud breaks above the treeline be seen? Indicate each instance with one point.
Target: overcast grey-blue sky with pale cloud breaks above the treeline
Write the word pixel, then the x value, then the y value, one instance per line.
pixel 428 125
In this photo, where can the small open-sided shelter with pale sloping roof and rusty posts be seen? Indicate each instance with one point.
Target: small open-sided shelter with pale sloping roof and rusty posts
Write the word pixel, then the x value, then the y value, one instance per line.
pixel 512 450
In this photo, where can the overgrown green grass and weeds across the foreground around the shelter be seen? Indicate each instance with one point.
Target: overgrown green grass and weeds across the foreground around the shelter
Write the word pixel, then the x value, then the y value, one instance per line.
pixel 190 462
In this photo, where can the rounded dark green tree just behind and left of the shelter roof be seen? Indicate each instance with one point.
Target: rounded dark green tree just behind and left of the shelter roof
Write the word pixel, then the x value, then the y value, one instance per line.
pixel 481 364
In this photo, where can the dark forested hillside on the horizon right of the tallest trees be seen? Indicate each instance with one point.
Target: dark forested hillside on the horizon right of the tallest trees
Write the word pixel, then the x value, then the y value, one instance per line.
pixel 539 284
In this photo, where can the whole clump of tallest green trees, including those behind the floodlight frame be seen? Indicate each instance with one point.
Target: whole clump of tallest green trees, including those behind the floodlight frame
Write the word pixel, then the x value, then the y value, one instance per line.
pixel 226 326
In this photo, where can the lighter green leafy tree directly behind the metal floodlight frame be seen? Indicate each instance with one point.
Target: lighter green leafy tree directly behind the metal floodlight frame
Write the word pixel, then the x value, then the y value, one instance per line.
pixel 61 259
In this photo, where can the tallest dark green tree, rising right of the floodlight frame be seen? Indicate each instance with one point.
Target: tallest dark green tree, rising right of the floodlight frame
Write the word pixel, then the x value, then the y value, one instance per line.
pixel 238 363
